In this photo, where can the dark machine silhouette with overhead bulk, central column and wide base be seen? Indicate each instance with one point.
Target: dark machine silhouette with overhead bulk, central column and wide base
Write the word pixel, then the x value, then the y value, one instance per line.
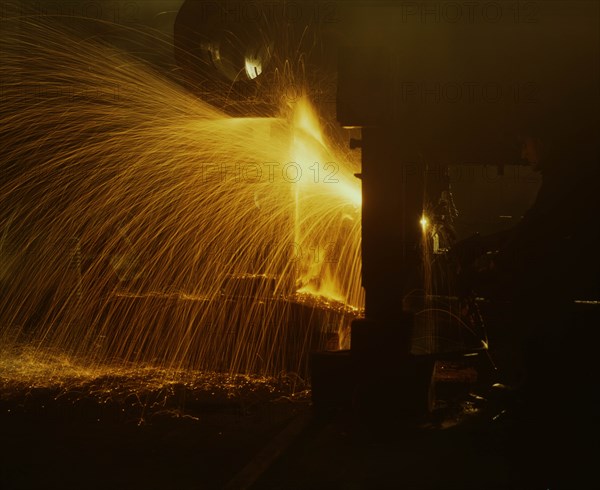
pixel 429 87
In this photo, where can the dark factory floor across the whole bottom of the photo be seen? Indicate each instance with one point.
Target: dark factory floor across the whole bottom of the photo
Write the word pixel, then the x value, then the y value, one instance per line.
pixel 472 440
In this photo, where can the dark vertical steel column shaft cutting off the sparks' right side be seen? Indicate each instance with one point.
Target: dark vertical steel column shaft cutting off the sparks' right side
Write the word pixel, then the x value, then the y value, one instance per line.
pixel 392 188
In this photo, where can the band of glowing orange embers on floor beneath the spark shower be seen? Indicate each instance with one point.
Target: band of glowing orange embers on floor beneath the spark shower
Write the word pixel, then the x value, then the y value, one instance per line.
pixel 53 385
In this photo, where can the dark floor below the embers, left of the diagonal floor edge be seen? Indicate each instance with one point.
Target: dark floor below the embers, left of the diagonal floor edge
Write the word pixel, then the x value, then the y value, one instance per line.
pixel 144 438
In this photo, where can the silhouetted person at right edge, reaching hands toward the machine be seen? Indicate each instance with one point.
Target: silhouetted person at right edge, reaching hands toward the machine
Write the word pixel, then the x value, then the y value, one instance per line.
pixel 548 260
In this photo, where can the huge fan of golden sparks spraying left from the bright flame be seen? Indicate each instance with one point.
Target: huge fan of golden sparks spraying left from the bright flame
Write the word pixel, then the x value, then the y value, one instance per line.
pixel 139 224
